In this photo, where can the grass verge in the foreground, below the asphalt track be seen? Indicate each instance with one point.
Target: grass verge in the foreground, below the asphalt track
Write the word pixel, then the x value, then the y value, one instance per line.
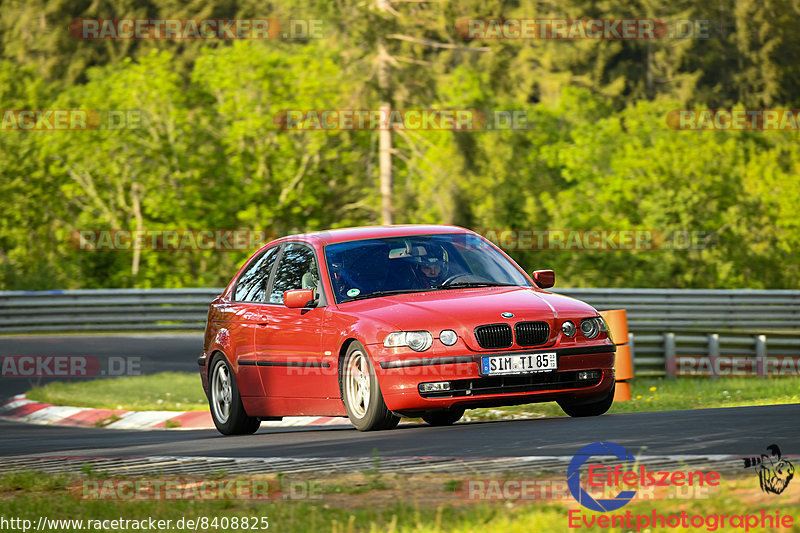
pixel 403 503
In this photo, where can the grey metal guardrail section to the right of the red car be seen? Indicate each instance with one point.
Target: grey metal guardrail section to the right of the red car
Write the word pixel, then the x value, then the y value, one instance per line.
pixel 669 323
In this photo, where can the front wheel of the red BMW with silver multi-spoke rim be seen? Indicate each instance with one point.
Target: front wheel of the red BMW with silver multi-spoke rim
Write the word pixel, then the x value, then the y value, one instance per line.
pixel 358 379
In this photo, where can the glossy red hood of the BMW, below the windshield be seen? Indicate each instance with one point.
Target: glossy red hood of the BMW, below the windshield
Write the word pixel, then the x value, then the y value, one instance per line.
pixel 464 309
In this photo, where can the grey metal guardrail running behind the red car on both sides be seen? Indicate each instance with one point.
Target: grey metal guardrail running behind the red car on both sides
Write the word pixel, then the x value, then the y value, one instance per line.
pixel 664 322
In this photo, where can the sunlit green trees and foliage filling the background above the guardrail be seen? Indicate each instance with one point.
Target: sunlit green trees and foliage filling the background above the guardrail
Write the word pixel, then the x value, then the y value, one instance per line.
pixel 596 153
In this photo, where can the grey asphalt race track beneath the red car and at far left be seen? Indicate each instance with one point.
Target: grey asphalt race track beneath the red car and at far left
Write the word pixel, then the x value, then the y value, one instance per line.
pixel 737 431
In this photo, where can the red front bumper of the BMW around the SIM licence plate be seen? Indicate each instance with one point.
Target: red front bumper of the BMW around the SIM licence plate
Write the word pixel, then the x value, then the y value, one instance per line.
pixel 400 375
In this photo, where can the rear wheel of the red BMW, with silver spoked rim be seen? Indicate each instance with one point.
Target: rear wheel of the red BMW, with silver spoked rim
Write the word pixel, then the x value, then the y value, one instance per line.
pixel 225 402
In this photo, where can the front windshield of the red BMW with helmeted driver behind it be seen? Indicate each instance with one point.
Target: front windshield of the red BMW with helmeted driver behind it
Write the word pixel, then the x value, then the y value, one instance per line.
pixel 394 265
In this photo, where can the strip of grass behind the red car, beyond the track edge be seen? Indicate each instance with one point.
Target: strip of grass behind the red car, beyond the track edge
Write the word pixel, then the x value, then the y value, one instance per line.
pixel 182 392
